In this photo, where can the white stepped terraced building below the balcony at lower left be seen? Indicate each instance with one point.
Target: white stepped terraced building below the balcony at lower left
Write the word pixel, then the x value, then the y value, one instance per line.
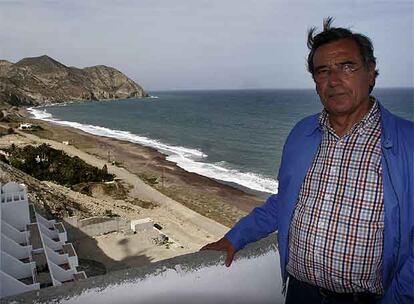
pixel 34 252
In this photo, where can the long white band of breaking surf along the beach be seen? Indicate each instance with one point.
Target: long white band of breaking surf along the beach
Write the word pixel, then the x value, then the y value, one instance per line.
pixel 186 158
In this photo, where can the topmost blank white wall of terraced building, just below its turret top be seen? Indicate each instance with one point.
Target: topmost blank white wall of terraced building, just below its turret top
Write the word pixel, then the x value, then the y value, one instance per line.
pixel 16 214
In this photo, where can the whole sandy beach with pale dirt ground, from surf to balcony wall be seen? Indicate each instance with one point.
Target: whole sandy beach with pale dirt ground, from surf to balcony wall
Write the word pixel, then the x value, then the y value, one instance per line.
pixel 191 209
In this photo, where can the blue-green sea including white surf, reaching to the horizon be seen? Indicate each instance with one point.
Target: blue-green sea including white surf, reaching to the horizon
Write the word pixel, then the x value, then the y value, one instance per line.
pixel 234 136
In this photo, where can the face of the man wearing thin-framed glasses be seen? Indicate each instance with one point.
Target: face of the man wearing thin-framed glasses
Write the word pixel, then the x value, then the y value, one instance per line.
pixel 342 80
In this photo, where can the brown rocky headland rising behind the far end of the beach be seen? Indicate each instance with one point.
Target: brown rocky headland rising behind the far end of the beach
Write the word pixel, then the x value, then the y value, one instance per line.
pixel 43 80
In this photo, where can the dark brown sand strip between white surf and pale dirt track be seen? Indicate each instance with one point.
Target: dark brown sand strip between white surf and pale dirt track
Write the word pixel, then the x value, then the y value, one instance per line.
pixel 220 201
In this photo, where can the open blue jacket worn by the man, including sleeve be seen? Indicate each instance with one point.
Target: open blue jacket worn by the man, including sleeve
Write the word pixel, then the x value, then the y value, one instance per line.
pixel 397 141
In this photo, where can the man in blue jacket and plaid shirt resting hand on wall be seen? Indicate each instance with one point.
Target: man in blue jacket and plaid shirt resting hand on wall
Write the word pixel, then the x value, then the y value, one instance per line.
pixel 344 211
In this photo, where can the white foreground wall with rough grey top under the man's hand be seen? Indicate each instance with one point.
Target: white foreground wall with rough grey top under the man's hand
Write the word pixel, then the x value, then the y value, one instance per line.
pixel 254 277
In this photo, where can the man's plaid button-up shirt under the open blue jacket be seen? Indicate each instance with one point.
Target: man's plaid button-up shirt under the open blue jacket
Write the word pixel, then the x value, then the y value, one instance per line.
pixel 336 233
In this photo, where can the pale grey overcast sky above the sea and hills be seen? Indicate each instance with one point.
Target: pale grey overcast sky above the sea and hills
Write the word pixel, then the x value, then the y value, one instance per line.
pixel 195 44
